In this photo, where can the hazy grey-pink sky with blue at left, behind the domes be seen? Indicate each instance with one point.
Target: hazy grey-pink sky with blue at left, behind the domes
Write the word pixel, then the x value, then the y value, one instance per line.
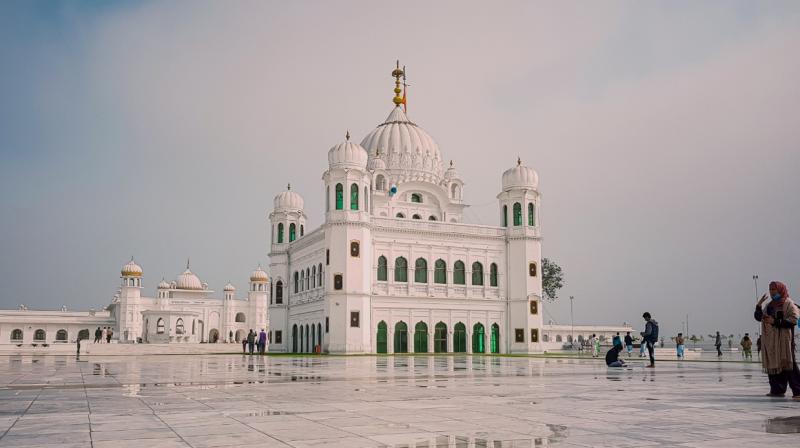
pixel 666 136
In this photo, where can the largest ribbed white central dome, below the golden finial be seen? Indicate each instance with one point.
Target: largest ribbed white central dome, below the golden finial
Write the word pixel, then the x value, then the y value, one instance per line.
pixel 409 152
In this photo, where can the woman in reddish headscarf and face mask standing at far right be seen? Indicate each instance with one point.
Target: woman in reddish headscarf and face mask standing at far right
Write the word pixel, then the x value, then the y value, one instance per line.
pixel 778 320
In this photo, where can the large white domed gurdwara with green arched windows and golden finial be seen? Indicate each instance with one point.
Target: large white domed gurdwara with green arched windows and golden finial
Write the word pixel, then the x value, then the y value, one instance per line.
pixel 394 268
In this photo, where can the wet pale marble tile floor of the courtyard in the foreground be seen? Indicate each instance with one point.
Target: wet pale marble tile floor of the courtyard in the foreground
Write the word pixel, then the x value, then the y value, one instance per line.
pixel 395 401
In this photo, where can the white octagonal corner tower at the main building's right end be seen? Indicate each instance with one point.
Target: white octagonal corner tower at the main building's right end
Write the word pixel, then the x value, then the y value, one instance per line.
pixel 519 205
